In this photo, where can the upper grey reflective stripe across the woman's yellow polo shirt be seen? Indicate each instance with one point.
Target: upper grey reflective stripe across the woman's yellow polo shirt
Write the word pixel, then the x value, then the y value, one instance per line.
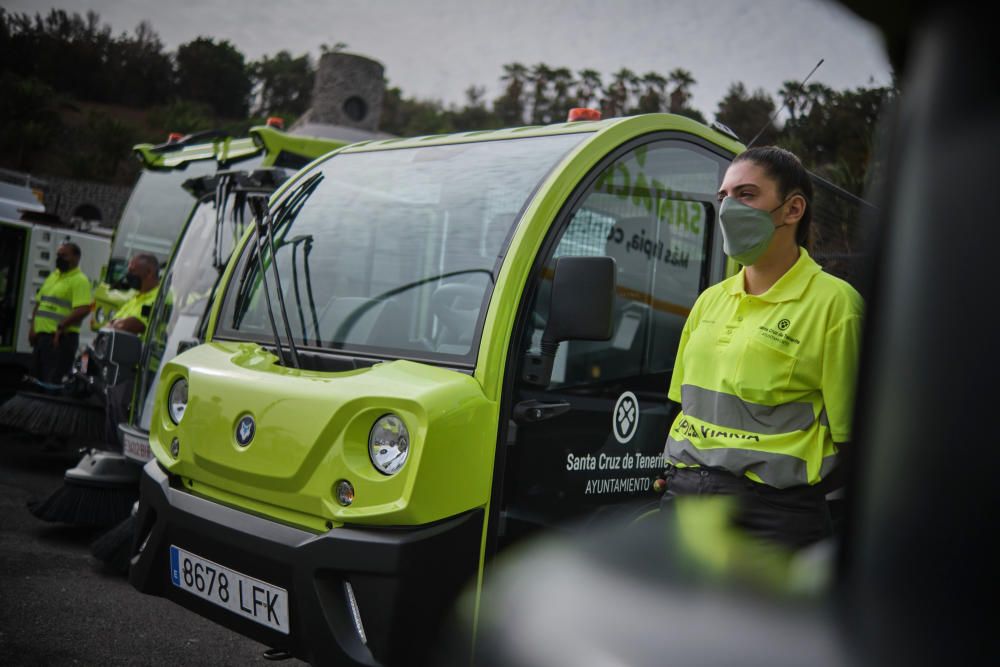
pixel 731 411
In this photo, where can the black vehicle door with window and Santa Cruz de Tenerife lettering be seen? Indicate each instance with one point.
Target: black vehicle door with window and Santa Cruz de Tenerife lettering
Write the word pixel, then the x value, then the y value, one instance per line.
pixel 597 442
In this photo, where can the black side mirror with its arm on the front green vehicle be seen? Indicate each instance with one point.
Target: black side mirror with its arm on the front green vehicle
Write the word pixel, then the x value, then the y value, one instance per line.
pixel 583 295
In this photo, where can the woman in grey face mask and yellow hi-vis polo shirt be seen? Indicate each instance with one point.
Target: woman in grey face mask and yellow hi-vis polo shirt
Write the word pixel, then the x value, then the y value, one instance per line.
pixel 767 362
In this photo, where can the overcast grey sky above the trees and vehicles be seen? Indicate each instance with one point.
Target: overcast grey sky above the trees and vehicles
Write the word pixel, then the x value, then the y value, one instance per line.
pixel 435 49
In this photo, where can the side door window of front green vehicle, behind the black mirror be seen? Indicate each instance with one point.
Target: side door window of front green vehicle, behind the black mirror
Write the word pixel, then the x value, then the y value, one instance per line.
pixel 651 210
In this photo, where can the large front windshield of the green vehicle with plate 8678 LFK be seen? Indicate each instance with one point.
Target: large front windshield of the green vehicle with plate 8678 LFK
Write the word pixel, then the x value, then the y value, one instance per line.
pixel 393 253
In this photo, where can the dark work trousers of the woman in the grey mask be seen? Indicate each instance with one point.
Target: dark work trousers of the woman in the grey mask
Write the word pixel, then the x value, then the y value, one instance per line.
pixel 795 517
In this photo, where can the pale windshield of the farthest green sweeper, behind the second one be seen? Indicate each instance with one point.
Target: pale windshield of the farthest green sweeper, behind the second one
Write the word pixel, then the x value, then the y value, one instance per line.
pixel 154 215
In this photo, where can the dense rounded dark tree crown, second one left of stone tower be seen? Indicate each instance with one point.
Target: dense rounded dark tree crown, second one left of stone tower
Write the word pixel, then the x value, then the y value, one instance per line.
pixel 214 73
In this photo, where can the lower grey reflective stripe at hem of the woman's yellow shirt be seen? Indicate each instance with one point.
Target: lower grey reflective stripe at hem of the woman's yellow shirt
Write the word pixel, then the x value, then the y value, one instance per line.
pixel 778 470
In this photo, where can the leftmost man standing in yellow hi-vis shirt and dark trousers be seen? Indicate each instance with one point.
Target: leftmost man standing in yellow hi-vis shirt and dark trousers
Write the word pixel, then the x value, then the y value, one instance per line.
pixel 62 303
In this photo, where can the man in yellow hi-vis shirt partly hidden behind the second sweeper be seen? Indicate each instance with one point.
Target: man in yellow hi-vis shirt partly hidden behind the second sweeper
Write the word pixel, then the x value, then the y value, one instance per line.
pixel 143 275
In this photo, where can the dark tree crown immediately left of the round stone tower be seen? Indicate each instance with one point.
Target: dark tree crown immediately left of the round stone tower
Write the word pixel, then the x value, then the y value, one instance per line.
pixel 283 84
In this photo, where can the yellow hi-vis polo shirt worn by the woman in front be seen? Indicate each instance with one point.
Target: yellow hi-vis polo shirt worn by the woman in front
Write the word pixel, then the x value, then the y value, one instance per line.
pixel 766 382
